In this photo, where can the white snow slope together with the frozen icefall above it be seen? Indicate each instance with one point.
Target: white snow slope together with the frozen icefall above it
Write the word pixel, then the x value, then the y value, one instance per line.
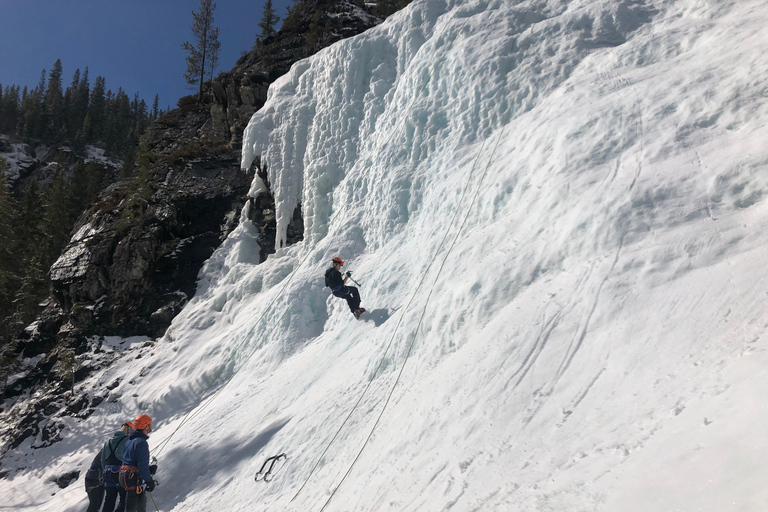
pixel 557 212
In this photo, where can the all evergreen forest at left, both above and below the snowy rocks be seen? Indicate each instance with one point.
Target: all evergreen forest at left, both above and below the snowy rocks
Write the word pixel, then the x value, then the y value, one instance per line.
pixel 35 224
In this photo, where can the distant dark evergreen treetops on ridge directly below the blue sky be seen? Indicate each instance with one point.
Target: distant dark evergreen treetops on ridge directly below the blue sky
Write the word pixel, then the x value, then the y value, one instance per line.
pixel 78 115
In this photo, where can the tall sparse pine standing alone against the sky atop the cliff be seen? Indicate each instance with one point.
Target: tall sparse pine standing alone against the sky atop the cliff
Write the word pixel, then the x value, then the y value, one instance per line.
pixel 203 55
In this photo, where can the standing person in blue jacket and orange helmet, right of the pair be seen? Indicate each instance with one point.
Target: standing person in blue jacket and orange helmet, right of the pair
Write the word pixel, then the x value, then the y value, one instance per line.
pixel 135 474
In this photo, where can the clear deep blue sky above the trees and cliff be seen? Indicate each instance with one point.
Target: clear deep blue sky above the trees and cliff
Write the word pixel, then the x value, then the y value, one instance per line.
pixel 133 44
